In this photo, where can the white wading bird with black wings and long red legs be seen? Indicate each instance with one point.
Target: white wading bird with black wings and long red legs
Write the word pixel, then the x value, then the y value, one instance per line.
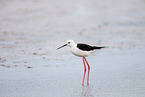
pixel 82 50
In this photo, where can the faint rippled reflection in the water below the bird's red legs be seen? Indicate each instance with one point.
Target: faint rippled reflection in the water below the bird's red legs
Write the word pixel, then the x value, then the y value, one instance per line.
pixel 87 91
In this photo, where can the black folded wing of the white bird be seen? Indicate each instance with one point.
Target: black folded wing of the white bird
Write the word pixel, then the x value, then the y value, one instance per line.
pixel 86 47
